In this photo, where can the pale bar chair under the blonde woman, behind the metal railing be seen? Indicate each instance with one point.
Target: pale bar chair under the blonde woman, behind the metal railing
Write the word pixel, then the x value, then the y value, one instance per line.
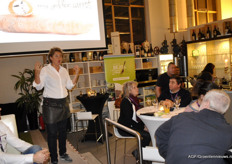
pixel 119 136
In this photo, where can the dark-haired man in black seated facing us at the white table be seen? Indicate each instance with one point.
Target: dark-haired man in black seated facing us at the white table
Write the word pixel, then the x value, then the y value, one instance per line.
pixel 169 95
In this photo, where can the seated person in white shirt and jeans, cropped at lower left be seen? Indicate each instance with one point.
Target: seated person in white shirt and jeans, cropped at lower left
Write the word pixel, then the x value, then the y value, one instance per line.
pixel 30 153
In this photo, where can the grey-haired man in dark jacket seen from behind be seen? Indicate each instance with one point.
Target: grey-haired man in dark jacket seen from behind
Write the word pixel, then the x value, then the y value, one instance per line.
pixel 201 137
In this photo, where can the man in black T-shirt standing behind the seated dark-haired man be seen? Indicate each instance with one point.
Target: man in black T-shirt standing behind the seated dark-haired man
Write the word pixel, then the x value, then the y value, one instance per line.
pixel 163 79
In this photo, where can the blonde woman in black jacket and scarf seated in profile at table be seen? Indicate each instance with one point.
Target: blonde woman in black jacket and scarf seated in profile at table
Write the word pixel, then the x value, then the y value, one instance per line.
pixel 128 107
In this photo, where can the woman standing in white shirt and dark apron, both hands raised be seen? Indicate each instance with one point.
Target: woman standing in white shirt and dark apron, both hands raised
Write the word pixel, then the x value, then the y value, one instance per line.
pixel 55 80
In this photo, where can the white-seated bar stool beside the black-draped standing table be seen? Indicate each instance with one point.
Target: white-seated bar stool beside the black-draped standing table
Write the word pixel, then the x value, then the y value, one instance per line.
pixel 88 116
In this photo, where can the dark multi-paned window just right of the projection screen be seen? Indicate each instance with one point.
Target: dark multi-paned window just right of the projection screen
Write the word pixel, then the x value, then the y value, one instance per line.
pixel 127 17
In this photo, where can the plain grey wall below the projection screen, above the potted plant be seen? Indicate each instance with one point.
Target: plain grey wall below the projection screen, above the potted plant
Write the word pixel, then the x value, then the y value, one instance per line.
pixel 12 66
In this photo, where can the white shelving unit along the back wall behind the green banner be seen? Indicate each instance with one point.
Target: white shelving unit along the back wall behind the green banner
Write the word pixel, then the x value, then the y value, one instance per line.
pixel 95 80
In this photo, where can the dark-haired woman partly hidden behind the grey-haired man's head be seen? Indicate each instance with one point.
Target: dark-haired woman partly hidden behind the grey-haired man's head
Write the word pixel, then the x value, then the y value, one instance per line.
pixel 199 90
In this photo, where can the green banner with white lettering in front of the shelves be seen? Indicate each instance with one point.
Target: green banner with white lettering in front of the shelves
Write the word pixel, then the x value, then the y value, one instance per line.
pixel 119 68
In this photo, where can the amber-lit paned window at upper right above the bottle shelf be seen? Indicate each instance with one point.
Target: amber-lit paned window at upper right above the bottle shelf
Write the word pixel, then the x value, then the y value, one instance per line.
pixel 205 11
